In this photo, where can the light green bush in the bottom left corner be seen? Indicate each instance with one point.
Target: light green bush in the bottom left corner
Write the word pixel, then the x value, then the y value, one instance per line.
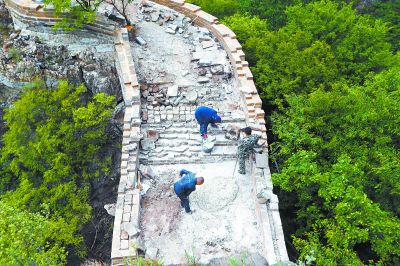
pixel 24 239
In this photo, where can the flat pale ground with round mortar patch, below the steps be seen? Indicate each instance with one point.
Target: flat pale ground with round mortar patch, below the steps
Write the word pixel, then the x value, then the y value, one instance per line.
pixel 223 224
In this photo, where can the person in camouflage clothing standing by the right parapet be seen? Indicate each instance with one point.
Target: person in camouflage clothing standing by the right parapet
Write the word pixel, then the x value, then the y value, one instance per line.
pixel 245 147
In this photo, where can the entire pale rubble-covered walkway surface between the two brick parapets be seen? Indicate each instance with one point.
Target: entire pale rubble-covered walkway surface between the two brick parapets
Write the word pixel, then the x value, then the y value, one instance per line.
pixel 181 67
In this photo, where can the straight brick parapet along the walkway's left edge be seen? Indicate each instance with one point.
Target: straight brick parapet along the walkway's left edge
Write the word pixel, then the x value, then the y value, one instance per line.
pixel 126 223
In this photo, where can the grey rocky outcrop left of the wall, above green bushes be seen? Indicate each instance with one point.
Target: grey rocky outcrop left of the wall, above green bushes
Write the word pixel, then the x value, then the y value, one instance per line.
pixel 25 57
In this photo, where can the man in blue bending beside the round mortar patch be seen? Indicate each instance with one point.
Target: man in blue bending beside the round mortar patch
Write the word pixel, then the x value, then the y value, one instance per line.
pixel 186 185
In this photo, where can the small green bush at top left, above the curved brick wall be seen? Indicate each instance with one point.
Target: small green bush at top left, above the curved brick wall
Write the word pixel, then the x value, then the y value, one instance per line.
pixel 74 13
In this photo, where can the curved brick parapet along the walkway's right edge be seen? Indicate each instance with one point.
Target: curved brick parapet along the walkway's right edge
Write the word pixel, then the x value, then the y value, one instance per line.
pixel 275 248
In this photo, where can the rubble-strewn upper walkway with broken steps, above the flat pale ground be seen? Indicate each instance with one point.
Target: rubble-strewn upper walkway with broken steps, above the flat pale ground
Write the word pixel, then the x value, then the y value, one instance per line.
pixel 181 66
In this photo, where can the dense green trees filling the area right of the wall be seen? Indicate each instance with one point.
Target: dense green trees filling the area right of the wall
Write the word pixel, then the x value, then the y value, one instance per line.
pixel 330 76
